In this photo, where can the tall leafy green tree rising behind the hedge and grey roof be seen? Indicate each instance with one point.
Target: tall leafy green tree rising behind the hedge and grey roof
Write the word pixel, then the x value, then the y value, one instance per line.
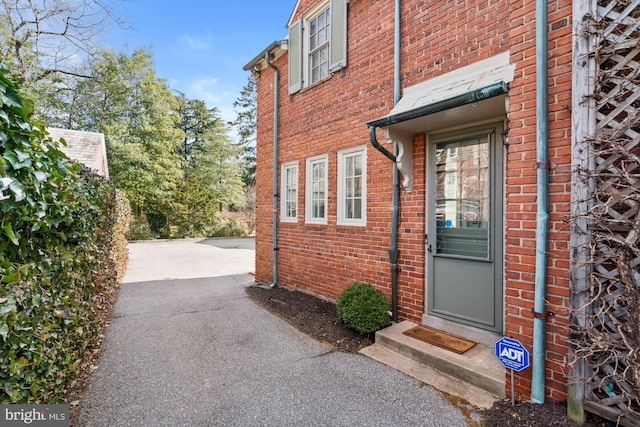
pixel 135 110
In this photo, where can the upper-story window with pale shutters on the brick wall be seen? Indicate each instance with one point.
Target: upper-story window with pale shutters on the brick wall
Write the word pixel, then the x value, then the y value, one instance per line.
pixel 317 44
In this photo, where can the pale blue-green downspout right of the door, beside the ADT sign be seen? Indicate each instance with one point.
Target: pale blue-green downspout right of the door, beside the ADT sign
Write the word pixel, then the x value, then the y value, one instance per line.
pixel 542 216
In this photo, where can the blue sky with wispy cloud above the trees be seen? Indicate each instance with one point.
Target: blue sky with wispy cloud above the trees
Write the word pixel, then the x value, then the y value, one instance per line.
pixel 200 46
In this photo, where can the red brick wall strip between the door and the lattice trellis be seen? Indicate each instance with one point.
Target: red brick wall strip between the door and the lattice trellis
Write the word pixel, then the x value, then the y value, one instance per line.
pixel 521 188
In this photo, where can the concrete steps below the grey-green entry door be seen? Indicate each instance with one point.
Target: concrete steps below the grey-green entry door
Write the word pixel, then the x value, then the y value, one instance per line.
pixel 476 376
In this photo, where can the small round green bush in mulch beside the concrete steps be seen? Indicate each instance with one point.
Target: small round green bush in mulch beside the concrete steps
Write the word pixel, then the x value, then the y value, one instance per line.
pixel 363 308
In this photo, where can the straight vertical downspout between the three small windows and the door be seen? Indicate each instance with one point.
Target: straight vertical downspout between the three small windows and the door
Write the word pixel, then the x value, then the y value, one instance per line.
pixel 393 246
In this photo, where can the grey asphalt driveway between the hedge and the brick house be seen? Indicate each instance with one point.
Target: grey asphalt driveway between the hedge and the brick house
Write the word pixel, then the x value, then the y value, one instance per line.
pixel 186 347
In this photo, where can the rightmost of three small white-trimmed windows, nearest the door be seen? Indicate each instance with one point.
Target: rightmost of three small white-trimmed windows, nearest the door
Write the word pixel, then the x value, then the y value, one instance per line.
pixel 352 191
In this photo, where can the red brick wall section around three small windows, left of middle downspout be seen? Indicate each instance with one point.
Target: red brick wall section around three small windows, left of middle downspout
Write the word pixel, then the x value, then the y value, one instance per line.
pixel 325 118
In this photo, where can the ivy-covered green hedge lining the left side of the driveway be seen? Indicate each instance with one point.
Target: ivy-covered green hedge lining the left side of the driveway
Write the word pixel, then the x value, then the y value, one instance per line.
pixel 56 235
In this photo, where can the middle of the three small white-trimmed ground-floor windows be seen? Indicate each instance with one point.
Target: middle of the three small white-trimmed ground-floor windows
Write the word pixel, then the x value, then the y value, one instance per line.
pixel 316 190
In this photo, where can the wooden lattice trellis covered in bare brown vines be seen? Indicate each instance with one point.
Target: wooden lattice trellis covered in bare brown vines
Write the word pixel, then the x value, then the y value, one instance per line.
pixel 606 333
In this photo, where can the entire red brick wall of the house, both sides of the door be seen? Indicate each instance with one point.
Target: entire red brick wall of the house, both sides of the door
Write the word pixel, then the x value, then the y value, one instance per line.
pixel 437 37
